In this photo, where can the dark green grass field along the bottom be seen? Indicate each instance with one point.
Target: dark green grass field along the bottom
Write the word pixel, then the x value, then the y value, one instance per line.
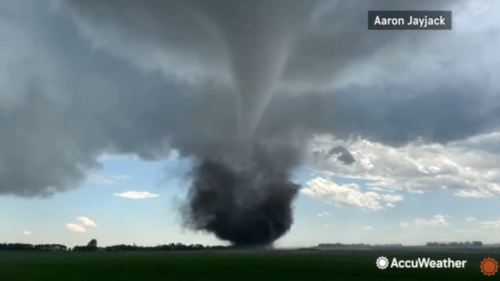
pixel 235 265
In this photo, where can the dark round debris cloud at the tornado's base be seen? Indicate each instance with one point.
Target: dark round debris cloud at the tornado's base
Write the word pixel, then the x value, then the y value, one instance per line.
pixel 247 203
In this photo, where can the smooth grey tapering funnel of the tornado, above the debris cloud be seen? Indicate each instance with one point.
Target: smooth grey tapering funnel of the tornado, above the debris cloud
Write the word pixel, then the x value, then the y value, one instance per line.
pixel 258 36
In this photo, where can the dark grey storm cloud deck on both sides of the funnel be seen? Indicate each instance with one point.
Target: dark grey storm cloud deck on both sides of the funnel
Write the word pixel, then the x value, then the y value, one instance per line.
pixel 129 86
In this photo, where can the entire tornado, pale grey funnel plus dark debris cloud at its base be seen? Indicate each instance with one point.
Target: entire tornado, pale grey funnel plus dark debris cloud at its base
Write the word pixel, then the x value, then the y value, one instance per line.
pixel 247 200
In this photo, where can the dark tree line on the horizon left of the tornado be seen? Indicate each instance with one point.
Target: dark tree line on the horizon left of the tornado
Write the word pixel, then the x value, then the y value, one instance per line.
pixel 93 247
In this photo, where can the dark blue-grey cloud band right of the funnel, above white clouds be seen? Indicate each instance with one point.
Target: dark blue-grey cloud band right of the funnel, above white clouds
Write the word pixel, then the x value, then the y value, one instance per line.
pixel 450 113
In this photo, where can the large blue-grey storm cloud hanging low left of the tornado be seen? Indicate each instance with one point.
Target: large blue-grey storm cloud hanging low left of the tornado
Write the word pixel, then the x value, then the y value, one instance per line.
pixel 64 104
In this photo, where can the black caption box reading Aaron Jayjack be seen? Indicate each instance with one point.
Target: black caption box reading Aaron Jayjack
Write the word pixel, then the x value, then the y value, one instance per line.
pixel 409 20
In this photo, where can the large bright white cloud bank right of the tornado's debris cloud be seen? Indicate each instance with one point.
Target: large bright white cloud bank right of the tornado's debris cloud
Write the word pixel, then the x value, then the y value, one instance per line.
pixel 468 167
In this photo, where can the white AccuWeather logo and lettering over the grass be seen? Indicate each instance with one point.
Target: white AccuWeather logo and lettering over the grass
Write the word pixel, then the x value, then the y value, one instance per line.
pixel 383 263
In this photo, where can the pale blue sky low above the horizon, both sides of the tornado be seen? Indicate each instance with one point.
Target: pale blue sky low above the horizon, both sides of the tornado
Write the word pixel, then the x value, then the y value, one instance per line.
pixel 152 221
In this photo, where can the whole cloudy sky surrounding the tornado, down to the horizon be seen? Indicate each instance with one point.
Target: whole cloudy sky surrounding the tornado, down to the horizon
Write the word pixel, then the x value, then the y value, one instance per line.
pixel 103 108
